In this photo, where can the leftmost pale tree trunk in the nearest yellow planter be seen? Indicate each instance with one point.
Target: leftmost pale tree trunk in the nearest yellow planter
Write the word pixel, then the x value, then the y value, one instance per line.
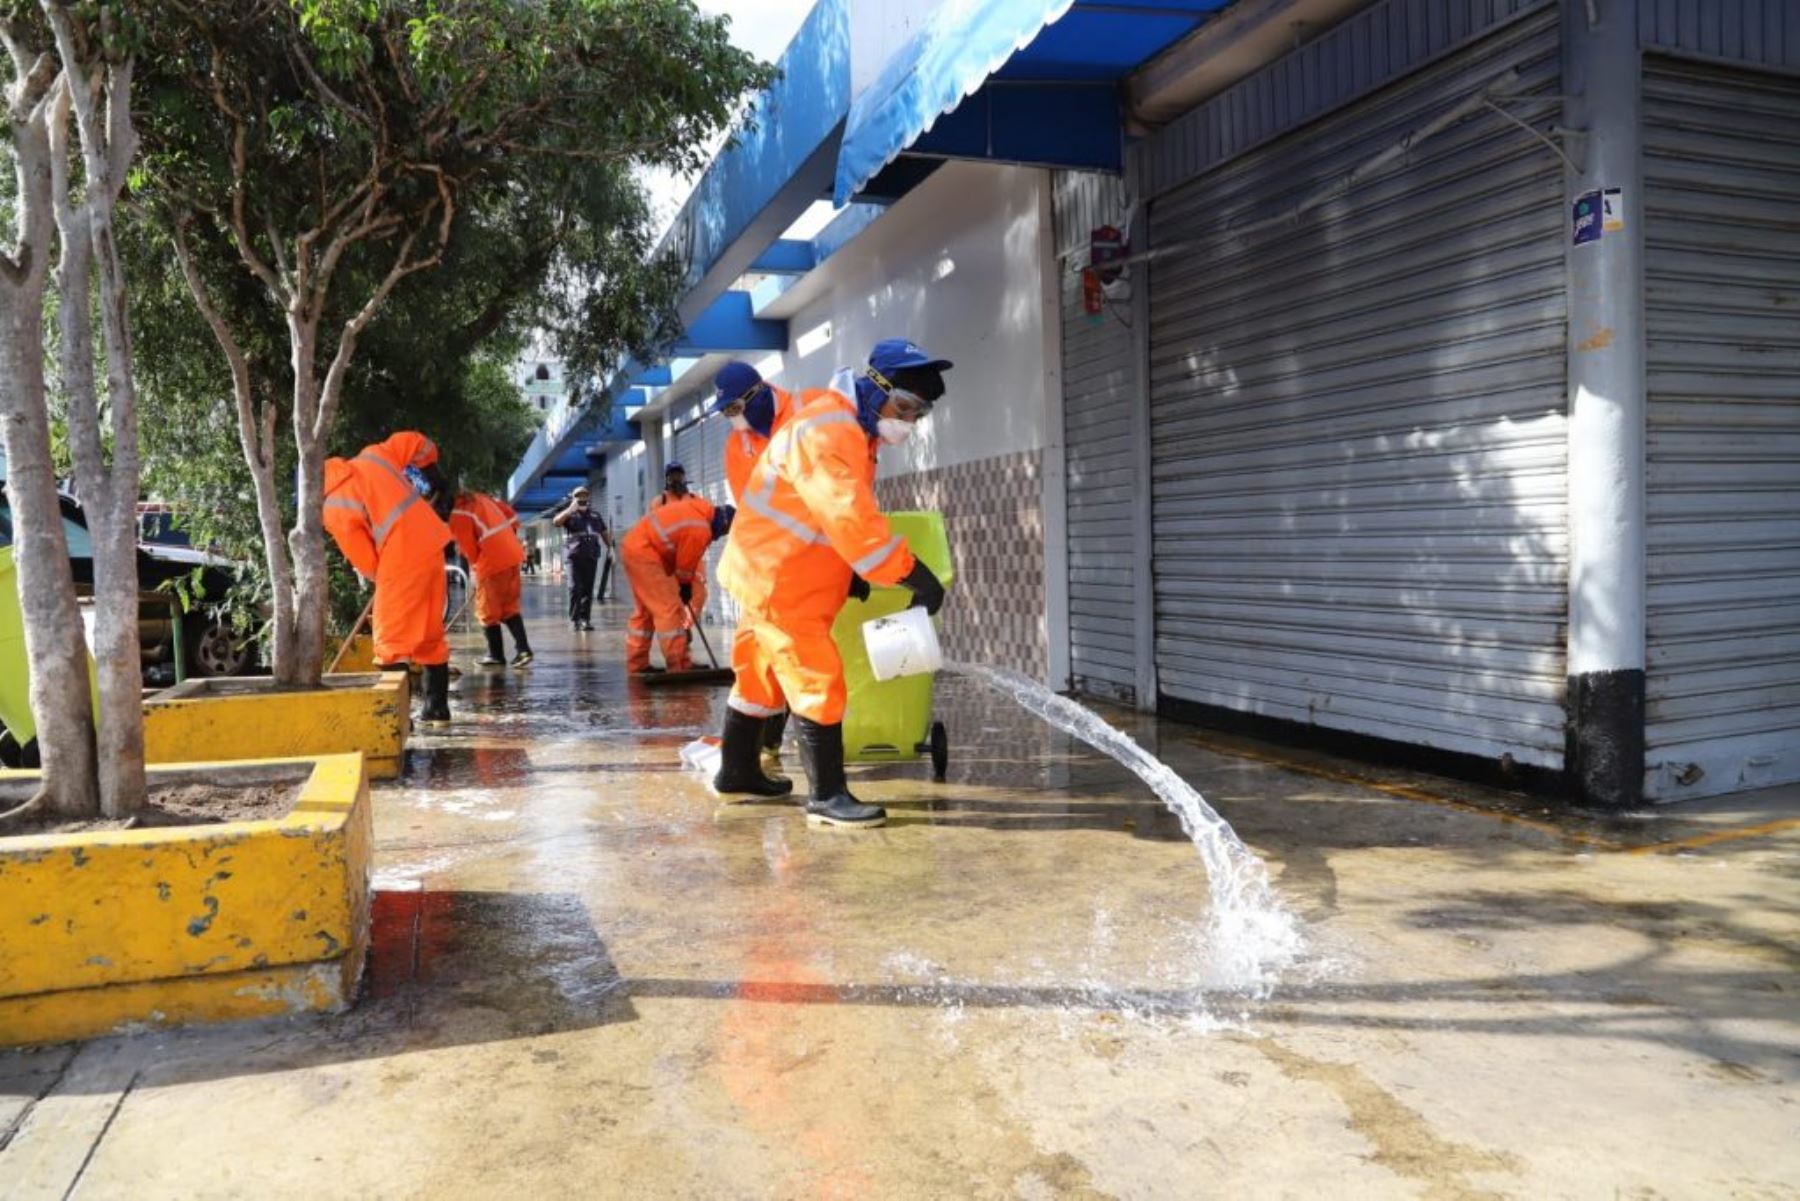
pixel 55 644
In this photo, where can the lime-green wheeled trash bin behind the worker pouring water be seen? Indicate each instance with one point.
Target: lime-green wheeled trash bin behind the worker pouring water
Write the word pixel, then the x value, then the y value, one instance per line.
pixel 888 723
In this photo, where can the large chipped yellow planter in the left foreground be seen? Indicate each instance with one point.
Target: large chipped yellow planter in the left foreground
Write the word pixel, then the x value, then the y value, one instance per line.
pixel 188 925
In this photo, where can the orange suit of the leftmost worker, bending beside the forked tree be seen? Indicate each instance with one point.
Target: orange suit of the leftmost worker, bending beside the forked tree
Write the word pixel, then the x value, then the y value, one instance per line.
pixel 391 536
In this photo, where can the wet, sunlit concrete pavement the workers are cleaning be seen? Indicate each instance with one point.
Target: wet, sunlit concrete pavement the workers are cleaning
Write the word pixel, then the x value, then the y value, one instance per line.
pixel 591 979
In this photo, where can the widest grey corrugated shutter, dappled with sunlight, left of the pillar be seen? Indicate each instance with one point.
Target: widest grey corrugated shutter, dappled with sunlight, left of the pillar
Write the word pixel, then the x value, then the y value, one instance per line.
pixel 1360 424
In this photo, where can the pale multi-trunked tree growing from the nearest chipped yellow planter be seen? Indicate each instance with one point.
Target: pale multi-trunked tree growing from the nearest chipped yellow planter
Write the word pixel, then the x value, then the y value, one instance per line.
pixel 85 78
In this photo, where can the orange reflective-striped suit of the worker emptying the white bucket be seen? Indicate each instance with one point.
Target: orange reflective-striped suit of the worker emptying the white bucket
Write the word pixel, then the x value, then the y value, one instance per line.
pixel 809 519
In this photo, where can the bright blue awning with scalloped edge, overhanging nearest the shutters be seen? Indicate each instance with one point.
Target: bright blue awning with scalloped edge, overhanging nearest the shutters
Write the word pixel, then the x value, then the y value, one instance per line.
pixel 1021 80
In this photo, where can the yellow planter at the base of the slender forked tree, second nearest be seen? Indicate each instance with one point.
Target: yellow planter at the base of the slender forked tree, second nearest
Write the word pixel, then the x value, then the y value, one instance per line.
pixel 247 719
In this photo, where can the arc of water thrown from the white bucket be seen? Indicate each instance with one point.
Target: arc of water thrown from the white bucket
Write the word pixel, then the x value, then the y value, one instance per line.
pixel 1250 934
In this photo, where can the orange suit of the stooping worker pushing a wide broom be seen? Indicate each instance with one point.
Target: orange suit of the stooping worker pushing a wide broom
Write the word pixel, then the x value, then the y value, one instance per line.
pixel 660 555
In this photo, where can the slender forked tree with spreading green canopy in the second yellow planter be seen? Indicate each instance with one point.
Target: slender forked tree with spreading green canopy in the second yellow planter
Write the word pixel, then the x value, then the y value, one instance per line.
pixel 328 149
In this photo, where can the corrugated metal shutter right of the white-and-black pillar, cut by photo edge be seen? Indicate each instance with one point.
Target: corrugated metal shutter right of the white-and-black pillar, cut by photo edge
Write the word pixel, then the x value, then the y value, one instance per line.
pixel 1722 176
